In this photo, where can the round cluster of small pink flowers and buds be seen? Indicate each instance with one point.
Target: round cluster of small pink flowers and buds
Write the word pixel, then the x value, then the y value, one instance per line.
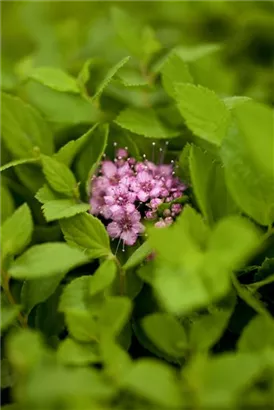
pixel 126 190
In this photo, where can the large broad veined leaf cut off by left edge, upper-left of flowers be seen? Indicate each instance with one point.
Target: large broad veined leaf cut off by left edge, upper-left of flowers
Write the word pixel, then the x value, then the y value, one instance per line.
pixel 23 129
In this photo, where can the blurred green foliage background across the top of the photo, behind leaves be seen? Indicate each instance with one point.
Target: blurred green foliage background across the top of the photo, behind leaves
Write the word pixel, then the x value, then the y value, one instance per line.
pixel 65 34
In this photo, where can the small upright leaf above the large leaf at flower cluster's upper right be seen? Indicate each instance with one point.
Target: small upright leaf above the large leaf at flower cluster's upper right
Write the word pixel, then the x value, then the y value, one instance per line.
pixel 174 71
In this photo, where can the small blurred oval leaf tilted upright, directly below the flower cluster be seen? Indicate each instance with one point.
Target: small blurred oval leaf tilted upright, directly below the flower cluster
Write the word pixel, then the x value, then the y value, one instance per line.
pixel 114 315
